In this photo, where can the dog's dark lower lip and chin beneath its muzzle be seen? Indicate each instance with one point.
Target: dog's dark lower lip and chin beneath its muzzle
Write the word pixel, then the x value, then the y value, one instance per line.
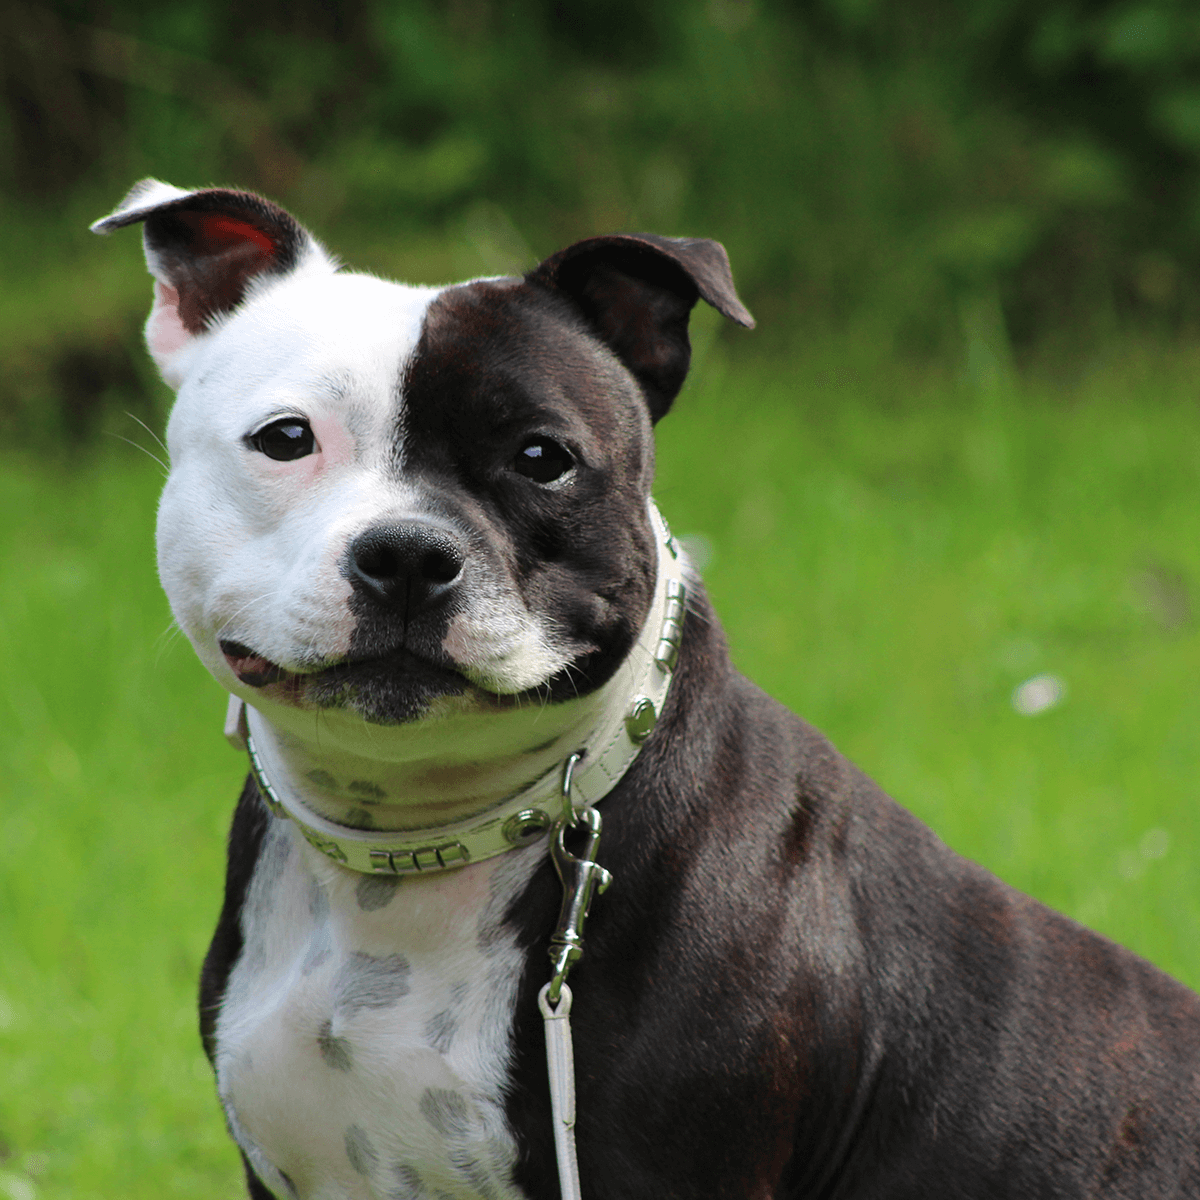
pixel 393 689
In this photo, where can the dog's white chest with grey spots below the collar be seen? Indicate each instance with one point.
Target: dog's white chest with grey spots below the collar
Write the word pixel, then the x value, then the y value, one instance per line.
pixel 364 1041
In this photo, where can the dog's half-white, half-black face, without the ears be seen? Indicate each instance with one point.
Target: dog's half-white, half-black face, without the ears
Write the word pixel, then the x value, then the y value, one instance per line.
pixel 421 495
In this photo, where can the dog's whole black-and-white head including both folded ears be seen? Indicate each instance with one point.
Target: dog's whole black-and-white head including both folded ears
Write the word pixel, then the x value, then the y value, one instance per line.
pixel 395 500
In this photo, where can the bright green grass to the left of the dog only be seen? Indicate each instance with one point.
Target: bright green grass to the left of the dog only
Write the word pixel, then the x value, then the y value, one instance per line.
pixel 116 799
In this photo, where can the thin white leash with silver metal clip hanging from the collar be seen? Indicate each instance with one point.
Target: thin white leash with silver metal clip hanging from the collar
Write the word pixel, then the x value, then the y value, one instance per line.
pixel 581 878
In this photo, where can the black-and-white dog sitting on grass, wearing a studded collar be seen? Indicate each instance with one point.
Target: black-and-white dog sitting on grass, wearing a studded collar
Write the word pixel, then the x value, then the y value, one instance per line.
pixel 410 530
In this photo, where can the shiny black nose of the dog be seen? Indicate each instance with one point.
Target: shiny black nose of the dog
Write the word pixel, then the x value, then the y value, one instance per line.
pixel 409 566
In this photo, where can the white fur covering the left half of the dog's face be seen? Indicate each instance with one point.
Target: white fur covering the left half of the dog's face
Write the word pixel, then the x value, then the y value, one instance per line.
pixel 250 548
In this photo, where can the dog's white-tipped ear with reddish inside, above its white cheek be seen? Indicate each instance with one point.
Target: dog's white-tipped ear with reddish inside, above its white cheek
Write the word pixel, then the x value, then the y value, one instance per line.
pixel 205 250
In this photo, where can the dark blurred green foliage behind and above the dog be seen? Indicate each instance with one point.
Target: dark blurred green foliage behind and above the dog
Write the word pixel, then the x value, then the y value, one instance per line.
pixel 976 183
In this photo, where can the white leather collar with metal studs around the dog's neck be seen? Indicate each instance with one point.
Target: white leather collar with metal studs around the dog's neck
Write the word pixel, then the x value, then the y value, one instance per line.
pixel 526 815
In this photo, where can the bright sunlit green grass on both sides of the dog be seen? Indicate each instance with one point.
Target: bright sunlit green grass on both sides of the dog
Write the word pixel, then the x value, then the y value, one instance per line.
pixel 892 557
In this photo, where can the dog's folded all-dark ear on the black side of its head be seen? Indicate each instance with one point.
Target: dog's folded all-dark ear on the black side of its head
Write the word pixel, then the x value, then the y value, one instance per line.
pixel 637 292
